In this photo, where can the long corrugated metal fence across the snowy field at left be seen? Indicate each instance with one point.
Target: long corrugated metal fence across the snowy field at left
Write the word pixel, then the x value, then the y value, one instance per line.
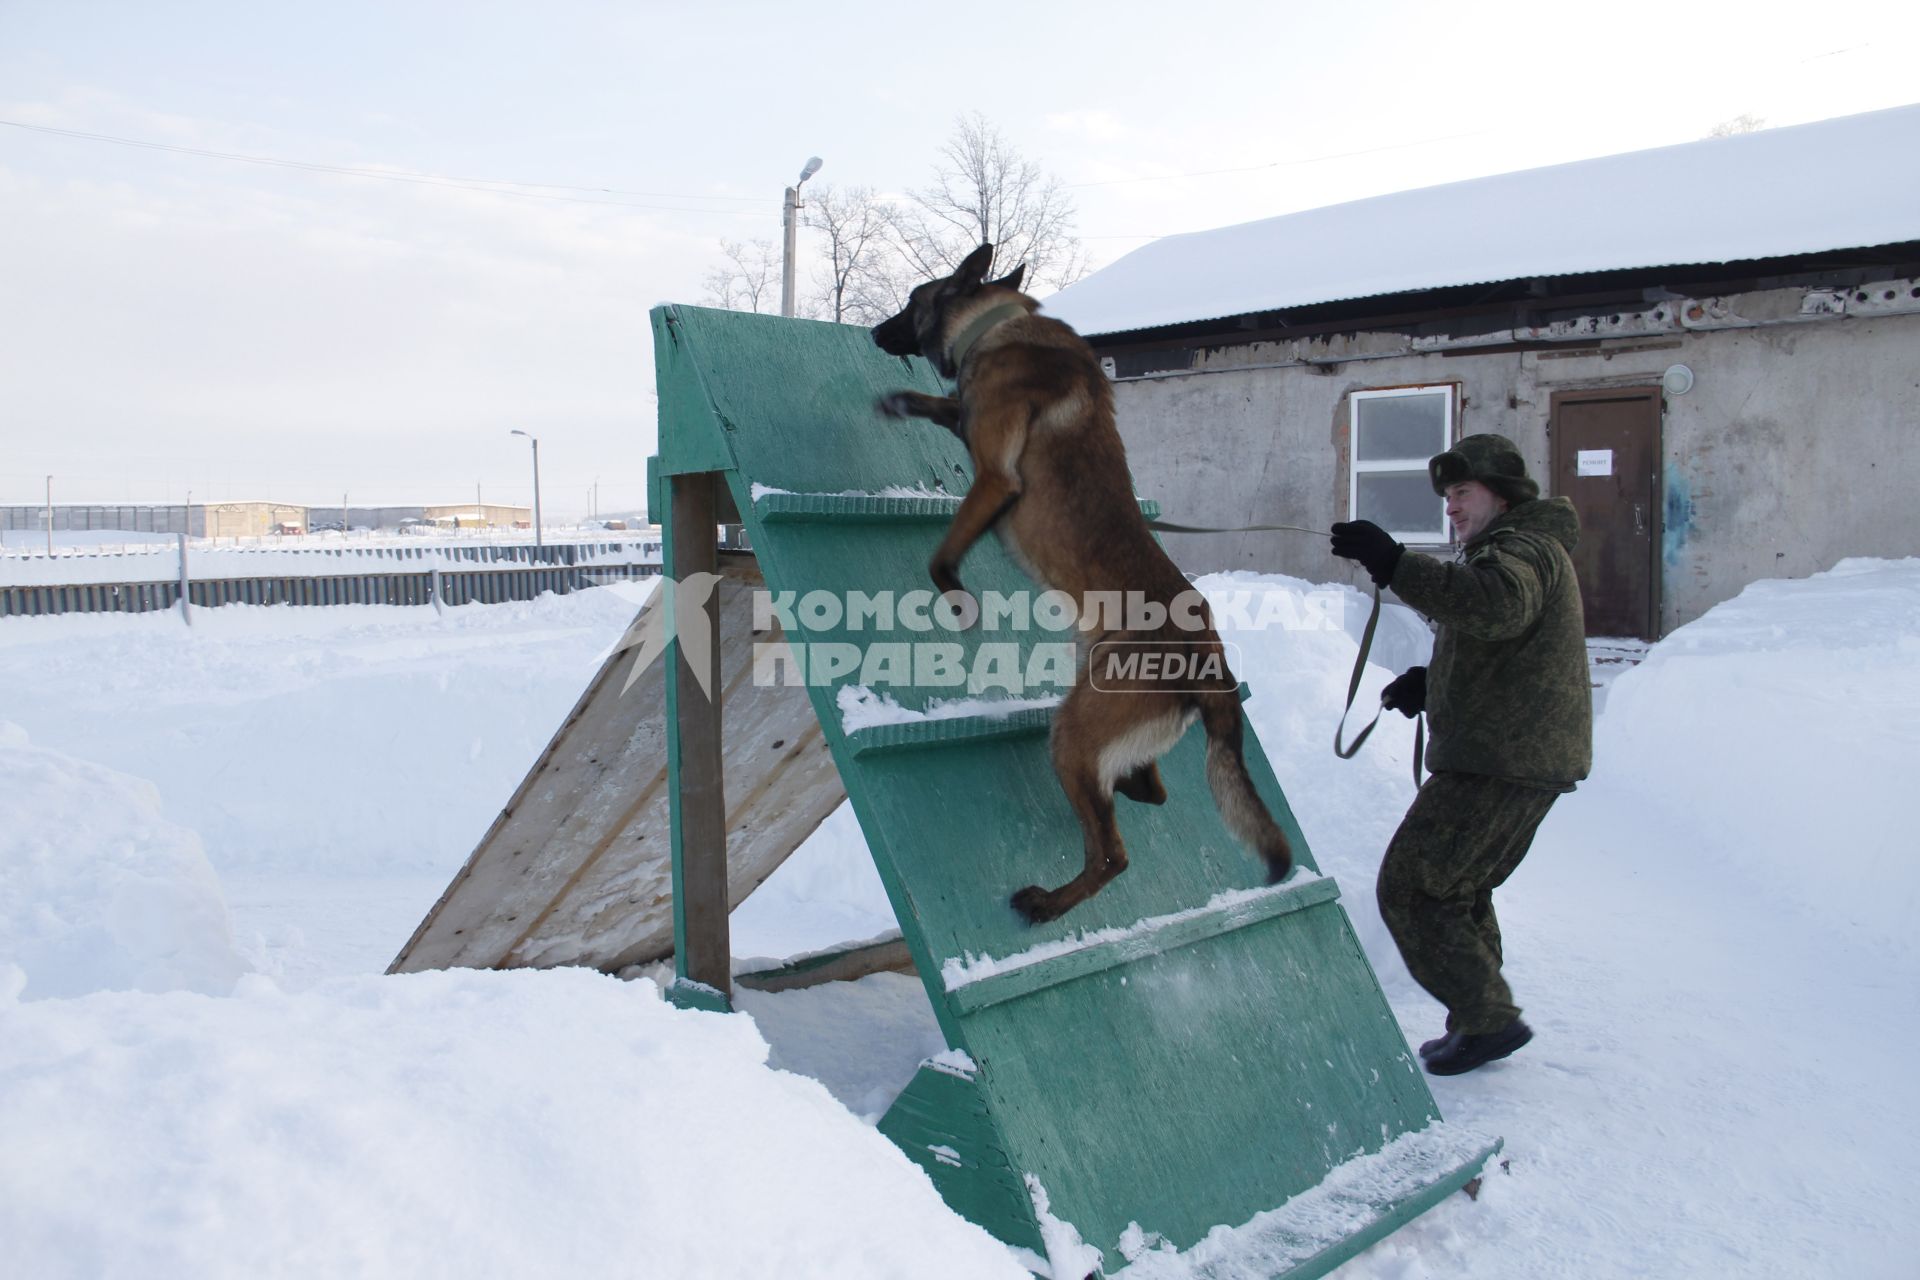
pixel 500 575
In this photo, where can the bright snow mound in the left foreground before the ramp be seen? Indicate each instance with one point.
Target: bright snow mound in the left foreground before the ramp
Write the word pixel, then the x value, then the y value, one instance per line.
pixel 454 1124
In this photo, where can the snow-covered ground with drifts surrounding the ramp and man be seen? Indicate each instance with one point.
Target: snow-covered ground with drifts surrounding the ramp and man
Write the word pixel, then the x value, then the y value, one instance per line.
pixel 214 840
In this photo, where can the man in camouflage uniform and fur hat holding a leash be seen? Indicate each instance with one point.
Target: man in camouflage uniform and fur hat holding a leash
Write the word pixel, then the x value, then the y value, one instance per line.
pixel 1510 711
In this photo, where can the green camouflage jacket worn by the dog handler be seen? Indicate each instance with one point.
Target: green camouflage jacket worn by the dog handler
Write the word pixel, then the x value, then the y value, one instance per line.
pixel 1508 690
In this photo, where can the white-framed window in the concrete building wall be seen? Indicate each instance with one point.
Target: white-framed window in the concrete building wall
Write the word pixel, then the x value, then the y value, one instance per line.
pixel 1395 433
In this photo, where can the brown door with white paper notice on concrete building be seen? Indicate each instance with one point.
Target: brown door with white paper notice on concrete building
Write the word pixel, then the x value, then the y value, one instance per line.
pixel 1606 460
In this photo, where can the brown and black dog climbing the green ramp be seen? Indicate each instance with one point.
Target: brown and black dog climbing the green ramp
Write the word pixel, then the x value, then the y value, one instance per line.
pixel 1051 477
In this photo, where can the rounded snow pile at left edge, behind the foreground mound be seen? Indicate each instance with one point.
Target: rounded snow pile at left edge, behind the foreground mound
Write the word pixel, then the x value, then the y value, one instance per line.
pixel 99 891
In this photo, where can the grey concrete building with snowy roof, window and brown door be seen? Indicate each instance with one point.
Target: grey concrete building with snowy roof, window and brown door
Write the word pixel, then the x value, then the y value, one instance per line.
pixel 1712 348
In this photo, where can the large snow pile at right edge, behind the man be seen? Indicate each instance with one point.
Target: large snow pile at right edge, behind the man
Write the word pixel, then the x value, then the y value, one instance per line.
pixel 1775 738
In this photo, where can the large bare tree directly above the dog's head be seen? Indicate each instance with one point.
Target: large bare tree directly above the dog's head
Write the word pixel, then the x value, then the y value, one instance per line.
pixel 986 191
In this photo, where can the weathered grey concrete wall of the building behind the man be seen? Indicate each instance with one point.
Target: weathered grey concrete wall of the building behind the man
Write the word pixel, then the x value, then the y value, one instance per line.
pixel 1796 448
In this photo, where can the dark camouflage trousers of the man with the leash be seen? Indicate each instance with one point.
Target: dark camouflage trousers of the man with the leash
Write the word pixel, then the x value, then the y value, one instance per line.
pixel 1460 841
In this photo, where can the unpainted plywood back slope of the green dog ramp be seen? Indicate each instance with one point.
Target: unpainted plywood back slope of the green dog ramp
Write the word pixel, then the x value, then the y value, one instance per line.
pixel 577 870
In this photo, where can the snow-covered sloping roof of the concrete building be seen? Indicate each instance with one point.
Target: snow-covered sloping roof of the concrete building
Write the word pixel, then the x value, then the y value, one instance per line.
pixel 1833 185
